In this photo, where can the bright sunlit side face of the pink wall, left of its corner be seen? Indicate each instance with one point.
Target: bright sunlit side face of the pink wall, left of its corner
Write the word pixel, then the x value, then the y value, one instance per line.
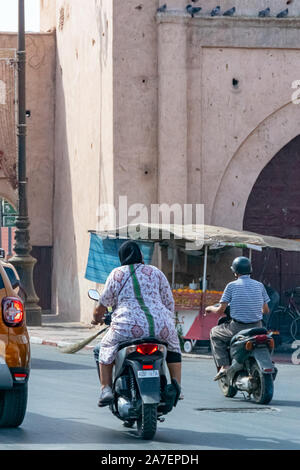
pixel 83 146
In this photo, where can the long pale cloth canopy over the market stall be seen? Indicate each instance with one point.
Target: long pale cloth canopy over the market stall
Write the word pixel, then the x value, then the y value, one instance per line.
pixel 201 235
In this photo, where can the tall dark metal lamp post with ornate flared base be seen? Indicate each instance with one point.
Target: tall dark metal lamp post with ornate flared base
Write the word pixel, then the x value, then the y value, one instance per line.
pixel 22 259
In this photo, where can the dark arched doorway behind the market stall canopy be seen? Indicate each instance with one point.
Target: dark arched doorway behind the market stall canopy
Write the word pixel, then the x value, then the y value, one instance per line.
pixel 273 208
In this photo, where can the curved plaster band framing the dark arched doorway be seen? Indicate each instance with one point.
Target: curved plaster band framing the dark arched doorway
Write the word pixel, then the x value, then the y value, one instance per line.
pixel 256 151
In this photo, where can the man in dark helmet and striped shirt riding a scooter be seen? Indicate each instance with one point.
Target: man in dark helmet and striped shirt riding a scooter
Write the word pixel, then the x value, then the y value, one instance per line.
pixel 248 302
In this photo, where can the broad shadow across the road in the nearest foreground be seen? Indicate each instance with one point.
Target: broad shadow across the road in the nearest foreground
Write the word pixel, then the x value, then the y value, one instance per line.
pixel 45 431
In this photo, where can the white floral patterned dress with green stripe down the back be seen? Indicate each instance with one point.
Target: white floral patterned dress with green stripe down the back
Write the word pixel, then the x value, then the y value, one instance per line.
pixel 144 307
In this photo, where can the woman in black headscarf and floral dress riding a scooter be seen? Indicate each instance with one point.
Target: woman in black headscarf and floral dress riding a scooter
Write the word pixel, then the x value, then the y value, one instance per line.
pixel 143 306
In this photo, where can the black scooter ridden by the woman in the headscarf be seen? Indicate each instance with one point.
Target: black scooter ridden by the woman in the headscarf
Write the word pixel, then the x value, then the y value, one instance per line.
pixel 141 392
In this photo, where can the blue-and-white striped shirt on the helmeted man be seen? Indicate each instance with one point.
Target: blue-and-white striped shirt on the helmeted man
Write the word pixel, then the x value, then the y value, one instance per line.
pixel 246 298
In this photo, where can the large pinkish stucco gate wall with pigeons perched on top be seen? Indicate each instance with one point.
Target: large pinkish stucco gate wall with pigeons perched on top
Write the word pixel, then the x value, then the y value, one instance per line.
pixel 145 107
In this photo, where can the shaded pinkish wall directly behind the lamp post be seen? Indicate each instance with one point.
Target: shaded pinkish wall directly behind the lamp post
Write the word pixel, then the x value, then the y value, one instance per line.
pixel 40 100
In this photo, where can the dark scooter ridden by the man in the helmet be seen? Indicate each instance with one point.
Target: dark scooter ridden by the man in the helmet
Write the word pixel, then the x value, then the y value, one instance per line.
pixel 252 369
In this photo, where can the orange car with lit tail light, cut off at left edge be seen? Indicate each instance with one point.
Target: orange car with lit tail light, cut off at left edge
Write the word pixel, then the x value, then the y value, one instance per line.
pixel 14 349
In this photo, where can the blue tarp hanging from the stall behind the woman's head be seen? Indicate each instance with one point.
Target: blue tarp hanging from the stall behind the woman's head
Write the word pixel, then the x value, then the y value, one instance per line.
pixel 103 256
